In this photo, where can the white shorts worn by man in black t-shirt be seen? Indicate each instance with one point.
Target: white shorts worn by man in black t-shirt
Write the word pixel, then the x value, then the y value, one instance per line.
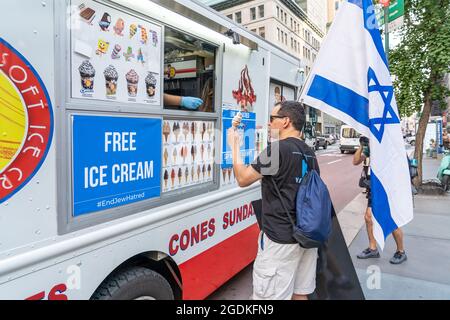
pixel 281 270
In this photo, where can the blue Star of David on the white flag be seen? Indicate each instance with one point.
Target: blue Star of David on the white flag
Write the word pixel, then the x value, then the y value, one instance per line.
pixel 387 94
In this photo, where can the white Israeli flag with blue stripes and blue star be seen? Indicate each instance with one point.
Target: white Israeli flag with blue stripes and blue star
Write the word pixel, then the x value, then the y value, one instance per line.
pixel 351 81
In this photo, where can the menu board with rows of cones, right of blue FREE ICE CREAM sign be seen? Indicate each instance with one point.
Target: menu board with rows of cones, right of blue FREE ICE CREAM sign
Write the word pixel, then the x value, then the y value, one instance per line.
pixel 188 153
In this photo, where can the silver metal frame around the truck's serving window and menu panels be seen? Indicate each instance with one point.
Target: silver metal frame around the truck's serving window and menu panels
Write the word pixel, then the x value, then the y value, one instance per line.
pixel 67 107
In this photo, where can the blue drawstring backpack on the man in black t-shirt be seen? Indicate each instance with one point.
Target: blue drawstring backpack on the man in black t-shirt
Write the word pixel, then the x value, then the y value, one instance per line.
pixel 313 209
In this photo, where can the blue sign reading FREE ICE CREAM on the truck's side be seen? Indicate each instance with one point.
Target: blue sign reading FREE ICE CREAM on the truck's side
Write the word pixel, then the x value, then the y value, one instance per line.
pixel 116 161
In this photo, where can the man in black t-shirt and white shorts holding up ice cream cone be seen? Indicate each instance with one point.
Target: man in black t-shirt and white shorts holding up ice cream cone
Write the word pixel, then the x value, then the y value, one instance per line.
pixel 282 269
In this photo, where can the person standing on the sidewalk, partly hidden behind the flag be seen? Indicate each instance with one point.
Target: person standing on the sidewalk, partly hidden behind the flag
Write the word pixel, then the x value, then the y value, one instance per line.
pixel 362 155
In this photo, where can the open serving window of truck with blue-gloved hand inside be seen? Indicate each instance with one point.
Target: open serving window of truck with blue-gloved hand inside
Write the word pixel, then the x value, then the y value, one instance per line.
pixel 189 65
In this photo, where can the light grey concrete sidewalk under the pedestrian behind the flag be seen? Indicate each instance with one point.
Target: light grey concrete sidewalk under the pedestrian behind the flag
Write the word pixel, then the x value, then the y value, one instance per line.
pixel 425 275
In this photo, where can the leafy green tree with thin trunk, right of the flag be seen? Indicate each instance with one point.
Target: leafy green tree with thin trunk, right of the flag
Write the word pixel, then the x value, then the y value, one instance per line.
pixel 420 63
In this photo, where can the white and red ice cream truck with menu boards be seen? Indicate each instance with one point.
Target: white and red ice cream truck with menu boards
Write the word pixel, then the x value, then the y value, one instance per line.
pixel 113 183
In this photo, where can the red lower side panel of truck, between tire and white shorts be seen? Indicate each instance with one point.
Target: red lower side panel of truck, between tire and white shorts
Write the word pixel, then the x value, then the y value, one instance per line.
pixel 206 272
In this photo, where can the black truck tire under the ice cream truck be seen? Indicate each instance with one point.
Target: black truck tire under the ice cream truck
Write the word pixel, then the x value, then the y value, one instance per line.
pixel 135 283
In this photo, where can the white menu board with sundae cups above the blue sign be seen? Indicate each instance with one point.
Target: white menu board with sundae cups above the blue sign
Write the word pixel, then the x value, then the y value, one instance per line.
pixel 114 56
